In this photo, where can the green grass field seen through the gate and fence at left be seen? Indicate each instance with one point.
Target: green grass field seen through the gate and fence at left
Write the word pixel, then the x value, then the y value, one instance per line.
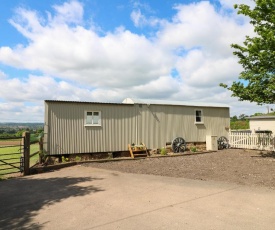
pixel 14 155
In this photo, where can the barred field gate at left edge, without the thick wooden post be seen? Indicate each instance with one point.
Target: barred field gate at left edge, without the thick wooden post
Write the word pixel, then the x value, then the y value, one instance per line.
pixel 11 155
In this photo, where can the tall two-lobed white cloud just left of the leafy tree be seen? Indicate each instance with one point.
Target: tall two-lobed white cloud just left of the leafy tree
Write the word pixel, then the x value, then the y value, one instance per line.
pixel 202 37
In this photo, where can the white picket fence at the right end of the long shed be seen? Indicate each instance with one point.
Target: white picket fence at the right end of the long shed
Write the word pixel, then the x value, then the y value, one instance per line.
pixel 260 141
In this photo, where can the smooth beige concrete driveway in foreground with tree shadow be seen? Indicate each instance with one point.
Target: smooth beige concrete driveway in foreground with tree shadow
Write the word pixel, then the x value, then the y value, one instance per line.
pixel 83 197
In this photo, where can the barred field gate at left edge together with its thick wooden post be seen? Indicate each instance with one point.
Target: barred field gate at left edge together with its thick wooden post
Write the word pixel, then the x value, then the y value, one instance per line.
pixel 14 155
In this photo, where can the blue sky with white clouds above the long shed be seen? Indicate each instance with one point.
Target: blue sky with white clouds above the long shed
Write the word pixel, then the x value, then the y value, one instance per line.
pixel 105 51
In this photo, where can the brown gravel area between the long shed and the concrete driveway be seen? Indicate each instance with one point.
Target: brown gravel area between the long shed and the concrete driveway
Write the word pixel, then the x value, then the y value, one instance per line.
pixel 245 167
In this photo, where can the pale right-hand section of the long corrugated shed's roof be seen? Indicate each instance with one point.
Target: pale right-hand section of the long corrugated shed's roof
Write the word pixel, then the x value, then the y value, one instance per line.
pixel 162 102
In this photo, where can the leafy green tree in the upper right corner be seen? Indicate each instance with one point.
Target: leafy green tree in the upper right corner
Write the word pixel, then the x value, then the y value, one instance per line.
pixel 257 56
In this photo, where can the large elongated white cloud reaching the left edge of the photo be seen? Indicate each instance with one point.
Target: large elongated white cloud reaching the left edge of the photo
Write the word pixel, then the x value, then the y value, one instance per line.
pixel 116 59
